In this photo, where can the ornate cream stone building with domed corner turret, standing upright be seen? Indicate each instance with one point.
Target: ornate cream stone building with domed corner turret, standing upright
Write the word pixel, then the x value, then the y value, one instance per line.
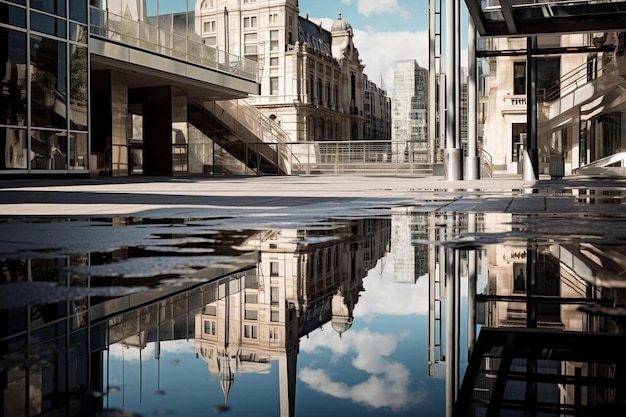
pixel 312 82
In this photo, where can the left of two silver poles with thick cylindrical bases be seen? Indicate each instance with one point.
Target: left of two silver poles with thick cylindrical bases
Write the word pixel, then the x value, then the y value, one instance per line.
pixel 453 155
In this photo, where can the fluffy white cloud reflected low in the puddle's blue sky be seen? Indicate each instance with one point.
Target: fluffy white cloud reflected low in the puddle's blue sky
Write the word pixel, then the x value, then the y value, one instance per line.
pixel 389 382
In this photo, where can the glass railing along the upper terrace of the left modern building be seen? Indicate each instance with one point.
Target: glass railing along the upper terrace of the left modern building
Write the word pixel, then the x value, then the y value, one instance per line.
pixel 152 38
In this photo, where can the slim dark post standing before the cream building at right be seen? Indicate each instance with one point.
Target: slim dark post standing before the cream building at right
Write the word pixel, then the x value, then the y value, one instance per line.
pixel 531 152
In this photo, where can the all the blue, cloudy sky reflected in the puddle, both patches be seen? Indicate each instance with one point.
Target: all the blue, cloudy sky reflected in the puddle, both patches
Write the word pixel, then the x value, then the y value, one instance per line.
pixel 378 367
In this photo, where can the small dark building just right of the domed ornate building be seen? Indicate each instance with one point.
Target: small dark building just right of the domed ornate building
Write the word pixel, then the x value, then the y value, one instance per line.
pixel 377 110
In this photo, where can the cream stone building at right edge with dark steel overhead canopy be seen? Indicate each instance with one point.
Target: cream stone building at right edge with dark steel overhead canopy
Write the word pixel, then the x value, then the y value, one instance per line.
pixel 579 100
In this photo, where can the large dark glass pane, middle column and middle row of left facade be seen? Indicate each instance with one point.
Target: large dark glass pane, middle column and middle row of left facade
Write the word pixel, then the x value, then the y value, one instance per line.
pixel 48 82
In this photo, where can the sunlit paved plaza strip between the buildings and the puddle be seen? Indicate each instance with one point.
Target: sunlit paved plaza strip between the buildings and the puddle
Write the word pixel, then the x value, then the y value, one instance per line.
pixel 199 197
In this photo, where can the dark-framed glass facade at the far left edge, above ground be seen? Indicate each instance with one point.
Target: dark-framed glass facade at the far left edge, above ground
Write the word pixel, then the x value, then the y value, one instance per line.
pixel 44 98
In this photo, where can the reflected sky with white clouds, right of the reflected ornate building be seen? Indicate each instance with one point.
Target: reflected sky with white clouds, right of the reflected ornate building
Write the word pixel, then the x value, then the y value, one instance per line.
pixel 379 366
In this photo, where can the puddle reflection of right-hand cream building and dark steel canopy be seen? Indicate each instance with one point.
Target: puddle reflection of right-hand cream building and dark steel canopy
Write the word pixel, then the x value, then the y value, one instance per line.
pixel 557 365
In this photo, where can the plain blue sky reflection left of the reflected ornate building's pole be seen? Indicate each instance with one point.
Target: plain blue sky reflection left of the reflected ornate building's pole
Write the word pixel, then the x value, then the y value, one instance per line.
pixel 184 387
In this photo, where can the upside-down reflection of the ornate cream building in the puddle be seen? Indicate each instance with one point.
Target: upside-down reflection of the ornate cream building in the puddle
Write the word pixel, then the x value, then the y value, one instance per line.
pixel 305 279
